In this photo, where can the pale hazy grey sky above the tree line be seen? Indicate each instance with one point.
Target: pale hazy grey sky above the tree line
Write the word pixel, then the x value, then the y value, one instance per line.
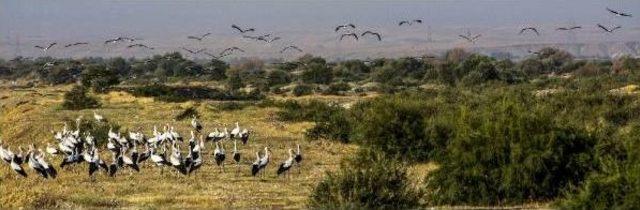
pixel 309 24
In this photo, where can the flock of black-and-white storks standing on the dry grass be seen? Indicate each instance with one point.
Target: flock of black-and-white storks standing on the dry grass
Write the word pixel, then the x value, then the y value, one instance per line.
pixel 77 147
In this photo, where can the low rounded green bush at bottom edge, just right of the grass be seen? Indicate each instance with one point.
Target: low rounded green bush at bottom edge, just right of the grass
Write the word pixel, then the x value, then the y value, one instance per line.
pixel 368 181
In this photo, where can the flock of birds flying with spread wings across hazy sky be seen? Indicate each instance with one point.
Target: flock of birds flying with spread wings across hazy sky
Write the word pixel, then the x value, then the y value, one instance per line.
pixel 347 30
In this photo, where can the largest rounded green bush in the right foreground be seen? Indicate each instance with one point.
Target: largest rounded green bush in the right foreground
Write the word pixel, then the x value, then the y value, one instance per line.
pixel 510 152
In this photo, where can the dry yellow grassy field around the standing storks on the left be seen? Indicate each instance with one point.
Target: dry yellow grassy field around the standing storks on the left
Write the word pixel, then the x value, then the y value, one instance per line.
pixel 29 114
